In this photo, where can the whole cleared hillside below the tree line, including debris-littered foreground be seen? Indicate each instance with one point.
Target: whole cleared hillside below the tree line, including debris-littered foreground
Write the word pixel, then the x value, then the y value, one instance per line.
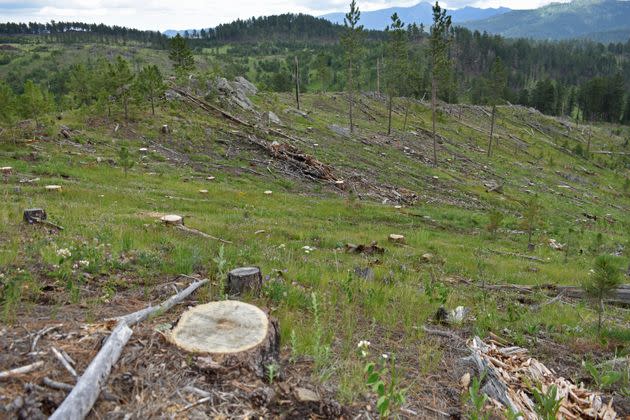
pixel 121 258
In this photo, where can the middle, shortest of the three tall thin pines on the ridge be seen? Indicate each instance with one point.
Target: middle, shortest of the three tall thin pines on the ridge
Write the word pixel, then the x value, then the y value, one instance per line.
pixel 396 65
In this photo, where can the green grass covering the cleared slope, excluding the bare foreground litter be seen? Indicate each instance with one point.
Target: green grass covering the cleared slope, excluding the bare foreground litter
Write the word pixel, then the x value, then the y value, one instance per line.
pixel 323 307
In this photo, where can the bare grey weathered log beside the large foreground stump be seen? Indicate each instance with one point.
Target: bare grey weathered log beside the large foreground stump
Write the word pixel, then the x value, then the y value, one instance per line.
pixel 79 402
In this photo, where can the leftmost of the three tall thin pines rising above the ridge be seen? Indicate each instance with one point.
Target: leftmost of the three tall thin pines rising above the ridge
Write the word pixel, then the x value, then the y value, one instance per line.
pixel 351 42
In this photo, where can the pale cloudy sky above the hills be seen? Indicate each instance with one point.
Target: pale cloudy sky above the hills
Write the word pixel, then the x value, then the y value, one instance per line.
pixel 187 14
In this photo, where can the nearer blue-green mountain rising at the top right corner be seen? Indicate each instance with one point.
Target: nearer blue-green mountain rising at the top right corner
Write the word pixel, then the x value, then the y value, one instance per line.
pixel 599 20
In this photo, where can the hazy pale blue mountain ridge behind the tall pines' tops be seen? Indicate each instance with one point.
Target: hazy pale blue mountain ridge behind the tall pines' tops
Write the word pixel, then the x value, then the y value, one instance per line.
pixel 420 13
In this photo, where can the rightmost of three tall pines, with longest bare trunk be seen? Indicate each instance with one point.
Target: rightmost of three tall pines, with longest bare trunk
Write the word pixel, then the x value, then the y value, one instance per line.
pixel 439 42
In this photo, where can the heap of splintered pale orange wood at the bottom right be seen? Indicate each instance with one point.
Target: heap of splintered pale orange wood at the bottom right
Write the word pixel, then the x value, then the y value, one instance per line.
pixel 510 372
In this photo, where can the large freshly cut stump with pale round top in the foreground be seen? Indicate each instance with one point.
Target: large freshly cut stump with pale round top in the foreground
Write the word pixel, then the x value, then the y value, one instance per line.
pixel 231 334
